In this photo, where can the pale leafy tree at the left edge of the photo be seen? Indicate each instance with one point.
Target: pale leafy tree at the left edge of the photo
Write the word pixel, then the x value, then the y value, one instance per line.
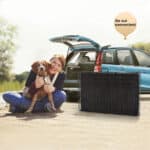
pixel 8 34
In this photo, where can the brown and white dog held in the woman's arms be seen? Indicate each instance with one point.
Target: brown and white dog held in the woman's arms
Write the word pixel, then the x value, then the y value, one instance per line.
pixel 41 69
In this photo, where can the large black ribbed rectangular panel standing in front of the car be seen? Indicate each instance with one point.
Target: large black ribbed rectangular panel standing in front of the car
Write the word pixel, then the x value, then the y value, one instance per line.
pixel 116 93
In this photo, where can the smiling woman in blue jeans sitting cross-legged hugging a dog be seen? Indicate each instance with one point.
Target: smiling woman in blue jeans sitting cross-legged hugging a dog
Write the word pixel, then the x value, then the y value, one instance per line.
pixel 19 103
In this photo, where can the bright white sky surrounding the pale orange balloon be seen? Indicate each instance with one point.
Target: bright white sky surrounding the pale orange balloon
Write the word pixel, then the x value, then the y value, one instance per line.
pixel 39 20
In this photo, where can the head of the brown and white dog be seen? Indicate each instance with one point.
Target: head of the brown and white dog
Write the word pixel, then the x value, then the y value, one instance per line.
pixel 41 67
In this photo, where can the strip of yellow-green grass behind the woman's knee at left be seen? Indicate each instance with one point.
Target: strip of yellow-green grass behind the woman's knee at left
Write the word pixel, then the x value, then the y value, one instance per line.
pixel 11 86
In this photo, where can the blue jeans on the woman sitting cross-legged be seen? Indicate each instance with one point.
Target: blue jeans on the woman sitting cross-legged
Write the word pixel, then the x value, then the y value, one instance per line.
pixel 21 103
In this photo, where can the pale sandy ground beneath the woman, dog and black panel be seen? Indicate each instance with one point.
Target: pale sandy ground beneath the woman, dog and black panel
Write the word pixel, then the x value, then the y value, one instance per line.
pixel 75 130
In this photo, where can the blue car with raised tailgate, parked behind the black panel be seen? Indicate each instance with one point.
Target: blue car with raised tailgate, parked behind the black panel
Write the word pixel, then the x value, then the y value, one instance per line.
pixel 87 55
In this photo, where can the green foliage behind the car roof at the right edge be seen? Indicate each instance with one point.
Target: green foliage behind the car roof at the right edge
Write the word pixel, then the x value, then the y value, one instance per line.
pixel 142 45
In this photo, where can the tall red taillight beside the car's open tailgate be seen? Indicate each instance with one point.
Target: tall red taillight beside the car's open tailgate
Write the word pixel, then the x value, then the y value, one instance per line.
pixel 98 63
